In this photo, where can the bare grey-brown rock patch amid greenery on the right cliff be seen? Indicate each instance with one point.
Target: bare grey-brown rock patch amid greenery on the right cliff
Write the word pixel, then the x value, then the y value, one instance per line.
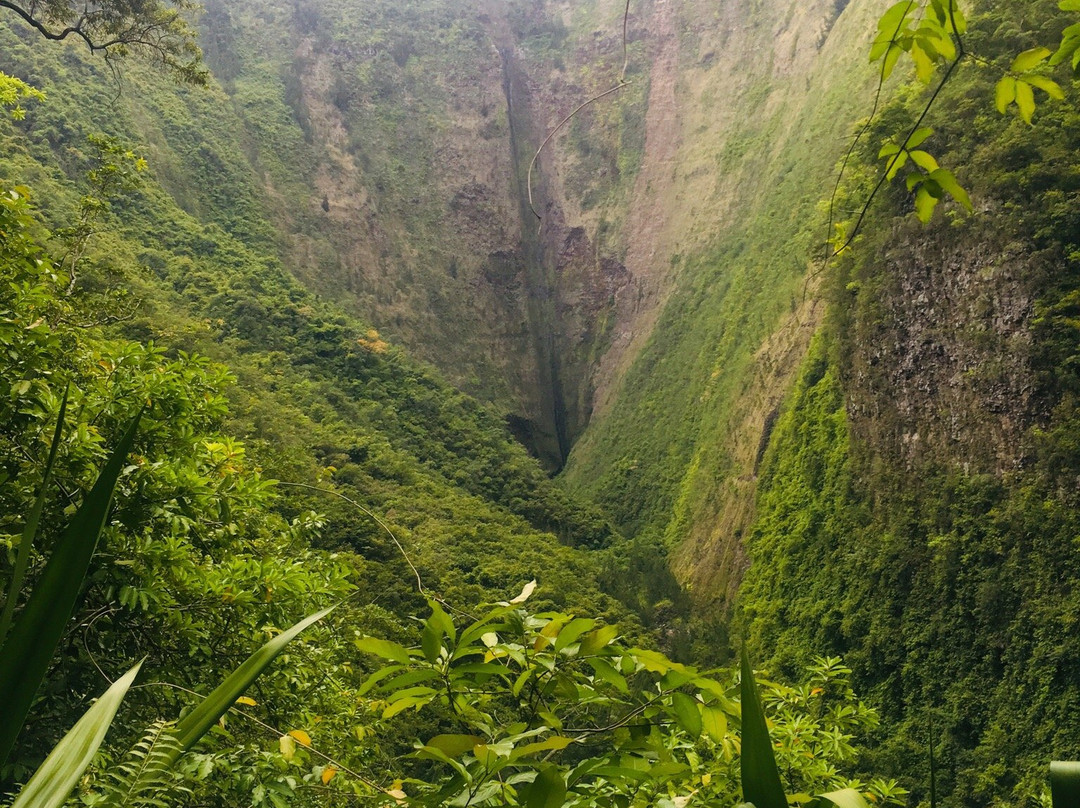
pixel 941 368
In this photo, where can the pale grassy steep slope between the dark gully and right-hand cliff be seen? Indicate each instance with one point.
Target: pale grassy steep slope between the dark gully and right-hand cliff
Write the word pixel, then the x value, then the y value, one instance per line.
pixel 674 457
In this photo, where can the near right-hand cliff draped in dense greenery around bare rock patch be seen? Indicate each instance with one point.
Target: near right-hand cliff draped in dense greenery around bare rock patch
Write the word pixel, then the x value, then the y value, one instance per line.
pixel 927 532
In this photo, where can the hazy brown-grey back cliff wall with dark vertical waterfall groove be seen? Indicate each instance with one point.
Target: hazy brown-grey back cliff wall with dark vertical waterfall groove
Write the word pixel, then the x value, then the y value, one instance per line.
pixel 408 200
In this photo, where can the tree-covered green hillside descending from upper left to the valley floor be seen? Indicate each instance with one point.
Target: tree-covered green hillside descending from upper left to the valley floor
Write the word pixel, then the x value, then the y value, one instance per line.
pixel 161 285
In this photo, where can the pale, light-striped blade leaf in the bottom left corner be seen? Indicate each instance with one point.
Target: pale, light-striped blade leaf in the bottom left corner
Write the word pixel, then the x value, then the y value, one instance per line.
pixel 58 776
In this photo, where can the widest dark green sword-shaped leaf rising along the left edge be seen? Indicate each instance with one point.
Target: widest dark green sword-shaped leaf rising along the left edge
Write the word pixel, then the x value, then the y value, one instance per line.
pixel 30 648
